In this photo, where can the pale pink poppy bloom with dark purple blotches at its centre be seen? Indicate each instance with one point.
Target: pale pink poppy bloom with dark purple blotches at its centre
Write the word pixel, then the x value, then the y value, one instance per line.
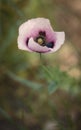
pixel 37 35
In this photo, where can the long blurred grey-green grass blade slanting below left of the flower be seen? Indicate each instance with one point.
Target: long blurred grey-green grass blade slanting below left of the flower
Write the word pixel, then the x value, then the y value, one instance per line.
pixel 24 81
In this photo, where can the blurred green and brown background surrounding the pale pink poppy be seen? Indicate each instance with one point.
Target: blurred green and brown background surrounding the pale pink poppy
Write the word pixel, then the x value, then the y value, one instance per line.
pixel 35 96
